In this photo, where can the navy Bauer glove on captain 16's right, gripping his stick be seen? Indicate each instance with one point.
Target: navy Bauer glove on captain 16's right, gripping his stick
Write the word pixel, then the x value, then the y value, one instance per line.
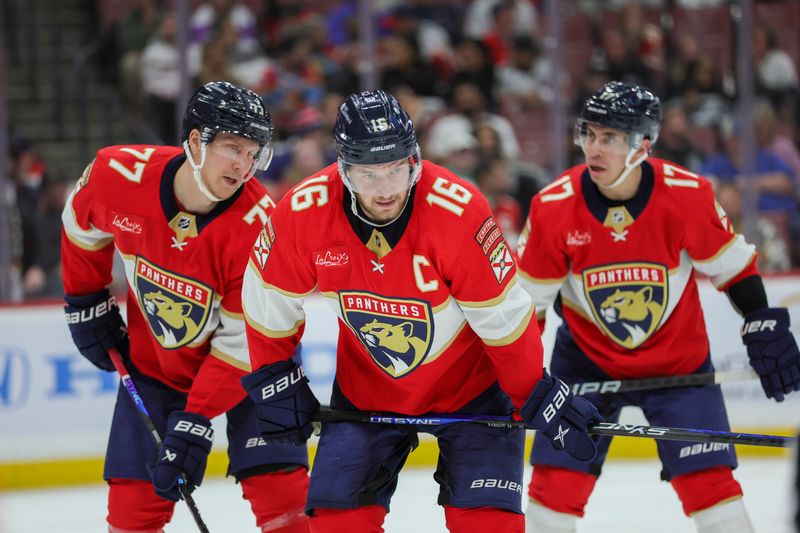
pixel 563 417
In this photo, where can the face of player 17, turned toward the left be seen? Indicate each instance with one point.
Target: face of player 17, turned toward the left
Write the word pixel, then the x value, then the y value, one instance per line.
pixel 605 150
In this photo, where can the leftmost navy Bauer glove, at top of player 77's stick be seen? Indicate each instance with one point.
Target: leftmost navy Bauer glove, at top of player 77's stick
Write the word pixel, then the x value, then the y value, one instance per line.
pixel 96 326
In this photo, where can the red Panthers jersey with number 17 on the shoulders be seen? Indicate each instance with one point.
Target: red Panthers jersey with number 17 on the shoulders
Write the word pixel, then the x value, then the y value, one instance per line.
pixel 625 272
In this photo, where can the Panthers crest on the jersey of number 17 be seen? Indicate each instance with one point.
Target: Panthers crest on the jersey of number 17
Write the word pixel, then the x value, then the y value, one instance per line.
pixel 627 300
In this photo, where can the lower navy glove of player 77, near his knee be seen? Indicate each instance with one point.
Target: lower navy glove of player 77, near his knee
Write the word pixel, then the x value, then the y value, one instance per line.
pixel 184 451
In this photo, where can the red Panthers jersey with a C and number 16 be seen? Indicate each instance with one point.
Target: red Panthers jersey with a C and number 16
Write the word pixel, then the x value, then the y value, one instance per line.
pixel 423 327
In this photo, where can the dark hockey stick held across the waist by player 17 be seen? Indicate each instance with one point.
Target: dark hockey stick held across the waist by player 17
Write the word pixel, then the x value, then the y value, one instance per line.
pixel 664 382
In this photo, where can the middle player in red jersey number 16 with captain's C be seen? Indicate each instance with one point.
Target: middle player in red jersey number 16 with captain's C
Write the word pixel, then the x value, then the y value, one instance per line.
pixel 432 320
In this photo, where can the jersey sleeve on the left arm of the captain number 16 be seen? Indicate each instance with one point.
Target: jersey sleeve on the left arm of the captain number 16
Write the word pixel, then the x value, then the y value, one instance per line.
pixel 276 282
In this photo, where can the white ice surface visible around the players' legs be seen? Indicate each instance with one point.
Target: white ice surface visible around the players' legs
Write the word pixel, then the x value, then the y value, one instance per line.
pixel 628 497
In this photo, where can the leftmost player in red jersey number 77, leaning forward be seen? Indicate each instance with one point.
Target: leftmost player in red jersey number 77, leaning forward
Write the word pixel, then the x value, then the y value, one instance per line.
pixel 183 222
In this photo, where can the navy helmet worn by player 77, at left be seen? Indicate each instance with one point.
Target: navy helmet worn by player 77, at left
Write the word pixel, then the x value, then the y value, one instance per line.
pixel 219 106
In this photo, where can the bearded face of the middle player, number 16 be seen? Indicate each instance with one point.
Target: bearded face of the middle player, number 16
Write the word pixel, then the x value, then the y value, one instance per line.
pixel 381 190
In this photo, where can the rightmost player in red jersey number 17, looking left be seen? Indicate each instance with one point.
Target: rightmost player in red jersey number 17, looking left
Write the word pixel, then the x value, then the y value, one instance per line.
pixel 613 244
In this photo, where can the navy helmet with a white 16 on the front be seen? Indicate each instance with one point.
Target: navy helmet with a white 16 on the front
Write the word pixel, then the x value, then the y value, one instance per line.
pixel 372 129
